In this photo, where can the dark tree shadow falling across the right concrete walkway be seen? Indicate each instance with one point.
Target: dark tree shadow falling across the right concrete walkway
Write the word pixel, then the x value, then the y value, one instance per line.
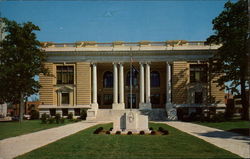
pixel 226 135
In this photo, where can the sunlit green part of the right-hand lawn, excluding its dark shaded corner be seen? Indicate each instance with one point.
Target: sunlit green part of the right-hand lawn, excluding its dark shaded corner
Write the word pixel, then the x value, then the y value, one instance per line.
pixel 227 125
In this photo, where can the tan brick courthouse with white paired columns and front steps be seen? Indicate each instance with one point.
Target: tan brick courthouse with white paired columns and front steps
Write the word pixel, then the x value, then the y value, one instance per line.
pixel 96 76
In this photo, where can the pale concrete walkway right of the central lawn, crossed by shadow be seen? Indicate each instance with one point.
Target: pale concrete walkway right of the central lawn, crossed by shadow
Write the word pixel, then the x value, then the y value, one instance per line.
pixel 232 142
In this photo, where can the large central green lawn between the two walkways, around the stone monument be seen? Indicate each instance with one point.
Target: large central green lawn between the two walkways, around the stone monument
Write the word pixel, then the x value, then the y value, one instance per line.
pixel 85 144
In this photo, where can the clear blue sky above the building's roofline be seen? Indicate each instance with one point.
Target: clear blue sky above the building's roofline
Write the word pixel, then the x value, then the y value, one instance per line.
pixel 107 21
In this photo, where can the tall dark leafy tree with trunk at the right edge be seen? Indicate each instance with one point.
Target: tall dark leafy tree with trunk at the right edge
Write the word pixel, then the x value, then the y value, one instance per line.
pixel 231 30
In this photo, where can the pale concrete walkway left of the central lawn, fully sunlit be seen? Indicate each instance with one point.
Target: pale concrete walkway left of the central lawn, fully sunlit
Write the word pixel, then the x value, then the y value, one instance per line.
pixel 15 146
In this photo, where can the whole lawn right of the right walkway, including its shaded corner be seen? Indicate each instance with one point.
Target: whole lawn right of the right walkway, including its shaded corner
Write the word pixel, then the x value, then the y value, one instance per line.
pixel 238 126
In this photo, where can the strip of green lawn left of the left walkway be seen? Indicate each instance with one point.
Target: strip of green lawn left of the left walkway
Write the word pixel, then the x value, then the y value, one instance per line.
pixel 11 129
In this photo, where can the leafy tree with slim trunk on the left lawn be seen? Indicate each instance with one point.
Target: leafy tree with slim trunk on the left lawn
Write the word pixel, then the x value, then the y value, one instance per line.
pixel 21 58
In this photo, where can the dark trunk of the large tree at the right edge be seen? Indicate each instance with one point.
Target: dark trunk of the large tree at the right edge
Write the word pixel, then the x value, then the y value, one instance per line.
pixel 245 114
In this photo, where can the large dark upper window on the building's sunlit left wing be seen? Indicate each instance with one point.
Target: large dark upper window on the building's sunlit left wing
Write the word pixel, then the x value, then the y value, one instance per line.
pixel 65 74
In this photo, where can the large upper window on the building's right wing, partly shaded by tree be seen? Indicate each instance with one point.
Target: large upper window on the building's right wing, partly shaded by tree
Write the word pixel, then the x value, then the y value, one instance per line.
pixel 198 73
